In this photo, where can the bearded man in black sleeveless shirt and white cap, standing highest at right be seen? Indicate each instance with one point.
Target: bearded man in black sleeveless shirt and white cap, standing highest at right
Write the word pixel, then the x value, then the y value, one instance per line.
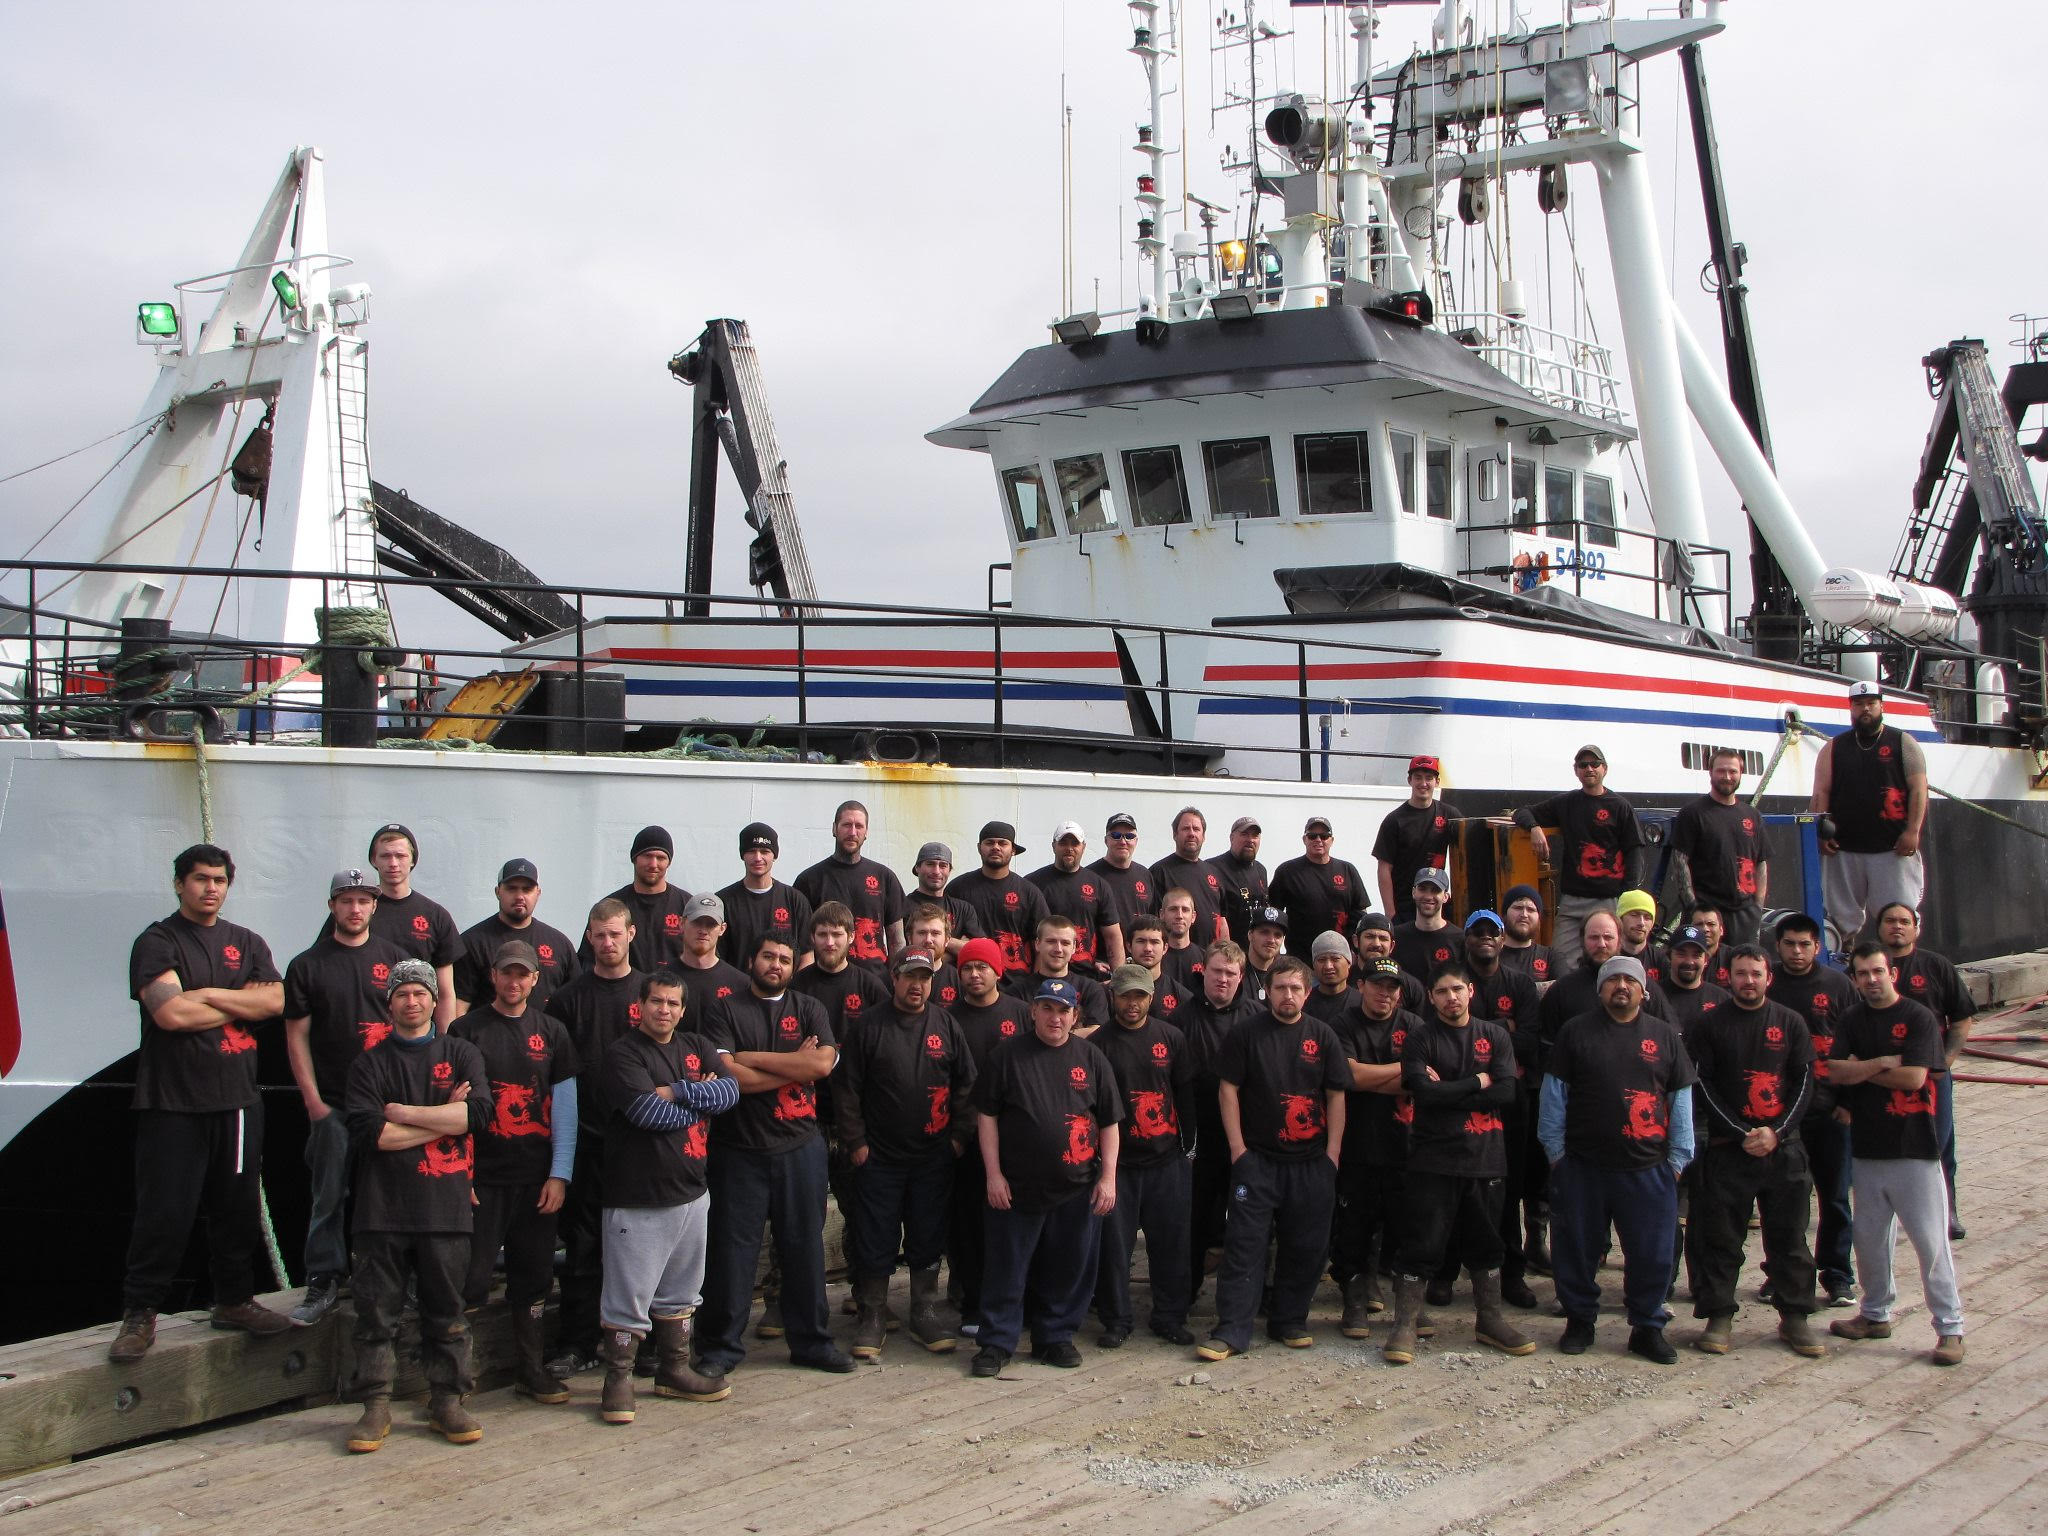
pixel 1871 783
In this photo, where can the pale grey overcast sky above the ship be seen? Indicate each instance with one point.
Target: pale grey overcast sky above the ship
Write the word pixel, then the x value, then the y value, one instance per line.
pixel 552 202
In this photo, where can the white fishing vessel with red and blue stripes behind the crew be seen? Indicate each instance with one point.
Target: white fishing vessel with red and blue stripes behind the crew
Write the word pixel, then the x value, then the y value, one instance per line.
pixel 1347 482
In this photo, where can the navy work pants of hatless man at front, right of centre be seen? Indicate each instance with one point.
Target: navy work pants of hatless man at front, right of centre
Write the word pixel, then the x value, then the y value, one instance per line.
pixel 1291 1197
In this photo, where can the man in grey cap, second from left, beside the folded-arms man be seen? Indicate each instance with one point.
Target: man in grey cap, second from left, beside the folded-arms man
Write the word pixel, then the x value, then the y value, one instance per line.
pixel 335 1011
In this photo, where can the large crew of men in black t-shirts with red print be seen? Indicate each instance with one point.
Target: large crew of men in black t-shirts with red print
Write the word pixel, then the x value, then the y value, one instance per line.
pixel 1015 1078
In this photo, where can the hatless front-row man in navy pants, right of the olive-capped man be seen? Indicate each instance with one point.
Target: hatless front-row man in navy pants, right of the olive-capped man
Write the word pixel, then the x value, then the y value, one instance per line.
pixel 1283 1078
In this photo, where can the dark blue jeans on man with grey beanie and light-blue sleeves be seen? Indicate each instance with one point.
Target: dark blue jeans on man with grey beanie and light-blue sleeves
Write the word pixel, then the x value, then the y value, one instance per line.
pixel 1641 1205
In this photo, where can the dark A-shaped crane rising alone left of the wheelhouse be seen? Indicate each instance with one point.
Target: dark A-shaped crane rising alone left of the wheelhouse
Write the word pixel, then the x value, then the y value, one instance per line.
pixel 730 407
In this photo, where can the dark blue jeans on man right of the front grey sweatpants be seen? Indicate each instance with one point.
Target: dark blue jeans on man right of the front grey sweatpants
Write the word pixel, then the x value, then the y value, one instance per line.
pixel 751 1193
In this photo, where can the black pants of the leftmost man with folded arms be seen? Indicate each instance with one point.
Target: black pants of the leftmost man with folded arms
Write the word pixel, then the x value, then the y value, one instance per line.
pixel 189 1166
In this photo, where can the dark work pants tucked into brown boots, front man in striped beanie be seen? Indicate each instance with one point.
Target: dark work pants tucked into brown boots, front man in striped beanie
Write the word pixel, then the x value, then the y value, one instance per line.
pixel 380 1269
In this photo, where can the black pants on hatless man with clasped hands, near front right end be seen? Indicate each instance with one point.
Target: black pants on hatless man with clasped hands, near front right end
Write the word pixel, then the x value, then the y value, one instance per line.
pixel 1725 1187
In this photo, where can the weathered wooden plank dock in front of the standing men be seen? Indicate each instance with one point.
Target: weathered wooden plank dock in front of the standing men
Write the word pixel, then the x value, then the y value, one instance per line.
pixel 1152 1441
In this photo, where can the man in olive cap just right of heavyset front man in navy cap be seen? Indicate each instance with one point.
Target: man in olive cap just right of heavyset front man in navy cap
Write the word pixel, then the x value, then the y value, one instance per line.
pixel 1156 1074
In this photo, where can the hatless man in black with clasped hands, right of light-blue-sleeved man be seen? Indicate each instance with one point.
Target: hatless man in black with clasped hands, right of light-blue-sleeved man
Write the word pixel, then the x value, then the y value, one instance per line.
pixel 1756 1078
